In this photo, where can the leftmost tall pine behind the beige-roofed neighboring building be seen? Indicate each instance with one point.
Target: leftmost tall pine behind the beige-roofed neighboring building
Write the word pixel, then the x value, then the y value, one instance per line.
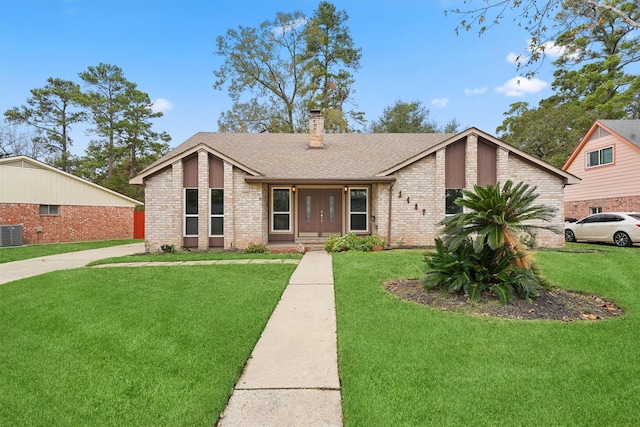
pixel 51 112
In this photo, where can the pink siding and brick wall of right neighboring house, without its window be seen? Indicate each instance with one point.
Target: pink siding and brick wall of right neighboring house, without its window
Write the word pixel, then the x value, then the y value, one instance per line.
pixel 612 187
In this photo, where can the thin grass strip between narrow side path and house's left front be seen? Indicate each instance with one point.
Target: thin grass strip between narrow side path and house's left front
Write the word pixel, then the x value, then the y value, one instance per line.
pixel 195 256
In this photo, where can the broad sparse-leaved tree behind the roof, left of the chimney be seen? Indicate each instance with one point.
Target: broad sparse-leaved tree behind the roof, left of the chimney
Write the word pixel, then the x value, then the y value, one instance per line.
pixel 268 64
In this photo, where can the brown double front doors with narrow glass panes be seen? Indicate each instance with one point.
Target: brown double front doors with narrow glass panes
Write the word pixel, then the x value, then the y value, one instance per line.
pixel 319 212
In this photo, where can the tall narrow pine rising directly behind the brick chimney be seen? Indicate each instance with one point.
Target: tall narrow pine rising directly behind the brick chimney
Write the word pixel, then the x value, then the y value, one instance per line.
pixel 332 54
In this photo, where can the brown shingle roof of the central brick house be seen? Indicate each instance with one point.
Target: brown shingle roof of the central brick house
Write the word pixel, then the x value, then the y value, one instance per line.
pixel 288 156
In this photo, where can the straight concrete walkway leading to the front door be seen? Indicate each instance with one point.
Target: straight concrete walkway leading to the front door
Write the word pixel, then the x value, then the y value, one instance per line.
pixel 292 376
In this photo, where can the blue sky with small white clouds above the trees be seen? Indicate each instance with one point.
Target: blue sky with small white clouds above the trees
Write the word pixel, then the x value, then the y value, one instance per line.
pixel 409 52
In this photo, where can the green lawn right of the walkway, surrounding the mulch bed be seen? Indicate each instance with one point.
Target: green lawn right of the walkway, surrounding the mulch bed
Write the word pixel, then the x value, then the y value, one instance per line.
pixel 403 364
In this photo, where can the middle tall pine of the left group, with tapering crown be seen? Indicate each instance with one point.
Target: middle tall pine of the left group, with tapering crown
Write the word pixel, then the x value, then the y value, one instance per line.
pixel 106 99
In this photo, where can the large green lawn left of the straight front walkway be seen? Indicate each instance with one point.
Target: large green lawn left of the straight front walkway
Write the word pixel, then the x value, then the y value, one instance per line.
pixel 124 346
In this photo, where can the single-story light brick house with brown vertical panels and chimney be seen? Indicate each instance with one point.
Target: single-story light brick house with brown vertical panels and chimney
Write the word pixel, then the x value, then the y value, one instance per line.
pixel 226 190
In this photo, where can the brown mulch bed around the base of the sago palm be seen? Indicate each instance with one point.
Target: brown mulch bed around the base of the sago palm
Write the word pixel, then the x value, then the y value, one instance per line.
pixel 557 304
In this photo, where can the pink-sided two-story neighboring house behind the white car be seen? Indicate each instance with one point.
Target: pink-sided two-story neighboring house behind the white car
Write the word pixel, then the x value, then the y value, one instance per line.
pixel 607 161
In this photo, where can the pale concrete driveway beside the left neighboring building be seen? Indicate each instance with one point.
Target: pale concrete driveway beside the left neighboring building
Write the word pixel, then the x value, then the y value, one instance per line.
pixel 16 270
